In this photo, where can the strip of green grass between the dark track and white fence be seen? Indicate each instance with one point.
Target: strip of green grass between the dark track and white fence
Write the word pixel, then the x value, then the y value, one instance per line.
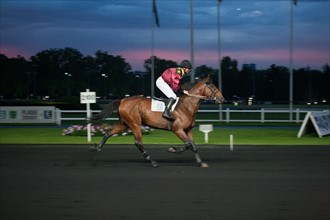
pixel 246 135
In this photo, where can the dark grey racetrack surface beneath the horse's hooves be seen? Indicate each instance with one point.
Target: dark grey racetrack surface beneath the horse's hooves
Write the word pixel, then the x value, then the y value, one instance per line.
pixel 68 182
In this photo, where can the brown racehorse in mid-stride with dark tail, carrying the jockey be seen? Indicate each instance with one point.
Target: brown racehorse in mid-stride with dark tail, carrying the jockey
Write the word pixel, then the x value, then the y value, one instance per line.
pixel 136 110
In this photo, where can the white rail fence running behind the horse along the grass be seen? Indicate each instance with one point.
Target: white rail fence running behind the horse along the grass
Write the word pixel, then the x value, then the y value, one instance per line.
pixel 227 115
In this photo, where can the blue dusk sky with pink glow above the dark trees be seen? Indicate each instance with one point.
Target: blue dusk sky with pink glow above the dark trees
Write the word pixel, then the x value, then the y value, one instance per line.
pixel 252 31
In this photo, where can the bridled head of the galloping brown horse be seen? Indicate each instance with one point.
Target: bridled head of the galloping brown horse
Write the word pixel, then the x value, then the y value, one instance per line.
pixel 210 91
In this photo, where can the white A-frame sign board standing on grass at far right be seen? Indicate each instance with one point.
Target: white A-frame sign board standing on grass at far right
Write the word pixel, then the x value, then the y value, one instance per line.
pixel 316 121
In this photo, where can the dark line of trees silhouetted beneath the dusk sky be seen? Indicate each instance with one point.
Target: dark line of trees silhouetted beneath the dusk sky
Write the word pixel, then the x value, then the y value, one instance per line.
pixel 64 73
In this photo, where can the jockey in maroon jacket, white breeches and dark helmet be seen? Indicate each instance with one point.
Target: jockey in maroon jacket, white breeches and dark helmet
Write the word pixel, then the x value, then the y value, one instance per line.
pixel 168 83
